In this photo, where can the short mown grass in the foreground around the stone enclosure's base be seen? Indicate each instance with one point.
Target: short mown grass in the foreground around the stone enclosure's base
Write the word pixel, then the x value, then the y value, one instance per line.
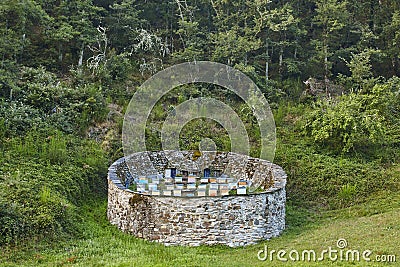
pixel 367 226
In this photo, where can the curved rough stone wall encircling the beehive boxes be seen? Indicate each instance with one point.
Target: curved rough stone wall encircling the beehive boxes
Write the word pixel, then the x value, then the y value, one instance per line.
pixel 230 220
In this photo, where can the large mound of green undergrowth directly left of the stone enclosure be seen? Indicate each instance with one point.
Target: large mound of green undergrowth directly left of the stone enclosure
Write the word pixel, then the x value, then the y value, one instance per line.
pixel 42 179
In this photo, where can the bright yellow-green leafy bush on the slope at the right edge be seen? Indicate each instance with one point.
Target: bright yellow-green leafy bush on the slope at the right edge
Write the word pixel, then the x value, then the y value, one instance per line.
pixel 357 119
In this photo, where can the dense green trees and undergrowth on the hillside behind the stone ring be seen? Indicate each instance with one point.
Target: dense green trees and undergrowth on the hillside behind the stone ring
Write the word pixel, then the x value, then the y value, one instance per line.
pixel 330 70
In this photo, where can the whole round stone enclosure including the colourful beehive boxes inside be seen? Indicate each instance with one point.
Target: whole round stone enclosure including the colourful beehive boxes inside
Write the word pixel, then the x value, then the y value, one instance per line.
pixel 236 218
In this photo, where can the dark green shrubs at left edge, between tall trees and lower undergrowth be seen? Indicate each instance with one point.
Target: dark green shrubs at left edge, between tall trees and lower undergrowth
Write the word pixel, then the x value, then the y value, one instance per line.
pixel 40 100
